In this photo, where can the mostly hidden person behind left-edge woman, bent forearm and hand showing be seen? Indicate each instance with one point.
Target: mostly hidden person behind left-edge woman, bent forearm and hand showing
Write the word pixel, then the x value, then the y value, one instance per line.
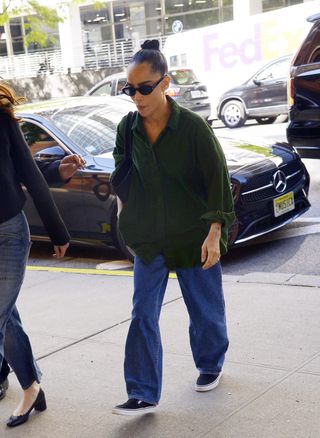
pixel 56 172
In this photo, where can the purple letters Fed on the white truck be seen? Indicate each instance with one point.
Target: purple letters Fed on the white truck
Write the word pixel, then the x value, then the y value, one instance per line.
pixel 230 53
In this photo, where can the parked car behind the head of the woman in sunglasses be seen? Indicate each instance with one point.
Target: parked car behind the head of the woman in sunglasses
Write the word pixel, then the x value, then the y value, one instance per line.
pixel 184 88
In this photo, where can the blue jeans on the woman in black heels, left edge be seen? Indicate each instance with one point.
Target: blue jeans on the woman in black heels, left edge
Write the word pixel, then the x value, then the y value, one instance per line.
pixel 14 343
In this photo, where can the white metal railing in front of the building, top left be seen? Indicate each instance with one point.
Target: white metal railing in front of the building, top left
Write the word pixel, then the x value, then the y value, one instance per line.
pixel 45 62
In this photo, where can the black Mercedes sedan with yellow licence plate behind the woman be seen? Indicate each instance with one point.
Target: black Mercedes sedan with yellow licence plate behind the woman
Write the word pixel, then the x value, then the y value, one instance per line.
pixel 270 183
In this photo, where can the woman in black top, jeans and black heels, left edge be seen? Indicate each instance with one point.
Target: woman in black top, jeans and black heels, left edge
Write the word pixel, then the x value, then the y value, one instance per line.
pixel 17 167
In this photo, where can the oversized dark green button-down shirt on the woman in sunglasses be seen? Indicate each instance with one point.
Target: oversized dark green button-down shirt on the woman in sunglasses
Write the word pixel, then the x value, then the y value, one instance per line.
pixel 180 185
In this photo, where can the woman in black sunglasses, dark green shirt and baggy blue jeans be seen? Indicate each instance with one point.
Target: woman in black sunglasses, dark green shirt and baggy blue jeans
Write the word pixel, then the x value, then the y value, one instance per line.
pixel 177 217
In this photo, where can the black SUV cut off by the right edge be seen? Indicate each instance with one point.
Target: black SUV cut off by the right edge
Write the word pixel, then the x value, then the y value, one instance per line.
pixel 303 130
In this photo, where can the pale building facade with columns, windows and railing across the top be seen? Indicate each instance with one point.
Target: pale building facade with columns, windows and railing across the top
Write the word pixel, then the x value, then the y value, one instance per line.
pixel 91 37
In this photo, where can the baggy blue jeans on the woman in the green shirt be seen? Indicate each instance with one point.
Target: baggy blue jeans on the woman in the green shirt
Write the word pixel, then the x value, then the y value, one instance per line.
pixel 203 296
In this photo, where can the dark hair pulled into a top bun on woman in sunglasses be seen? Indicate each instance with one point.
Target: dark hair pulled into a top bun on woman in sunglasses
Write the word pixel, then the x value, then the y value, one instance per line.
pixel 150 53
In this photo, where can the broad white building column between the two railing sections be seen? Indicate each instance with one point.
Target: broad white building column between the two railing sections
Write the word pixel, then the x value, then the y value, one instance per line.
pixel 70 34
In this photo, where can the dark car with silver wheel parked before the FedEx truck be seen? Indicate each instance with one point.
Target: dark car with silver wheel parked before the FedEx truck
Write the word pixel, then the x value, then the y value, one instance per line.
pixel 263 97
